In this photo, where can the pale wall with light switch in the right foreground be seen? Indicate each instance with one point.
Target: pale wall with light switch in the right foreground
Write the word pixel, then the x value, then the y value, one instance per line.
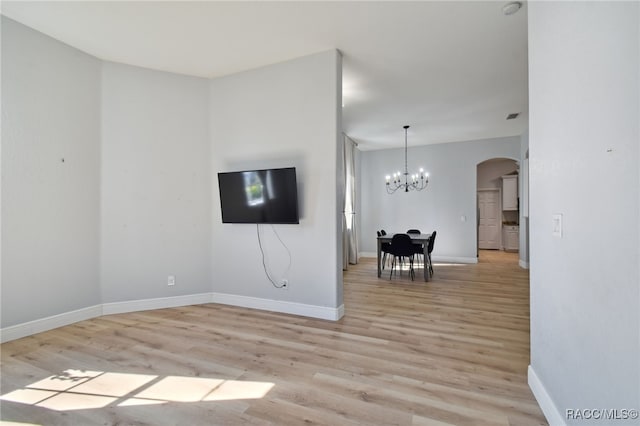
pixel 584 150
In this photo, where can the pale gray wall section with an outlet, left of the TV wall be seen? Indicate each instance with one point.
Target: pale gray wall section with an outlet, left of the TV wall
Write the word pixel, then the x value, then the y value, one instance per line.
pixel 156 184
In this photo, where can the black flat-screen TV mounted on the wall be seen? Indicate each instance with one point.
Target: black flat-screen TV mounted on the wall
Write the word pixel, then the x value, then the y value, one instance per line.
pixel 259 196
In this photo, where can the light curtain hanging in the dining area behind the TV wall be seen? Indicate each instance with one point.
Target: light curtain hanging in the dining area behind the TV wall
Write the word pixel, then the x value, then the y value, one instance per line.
pixel 349 228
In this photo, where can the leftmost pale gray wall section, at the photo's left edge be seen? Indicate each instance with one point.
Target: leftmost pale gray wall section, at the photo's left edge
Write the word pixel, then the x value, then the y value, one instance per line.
pixel 50 208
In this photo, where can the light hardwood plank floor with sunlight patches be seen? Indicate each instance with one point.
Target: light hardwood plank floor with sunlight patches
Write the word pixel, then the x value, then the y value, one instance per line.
pixel 453 351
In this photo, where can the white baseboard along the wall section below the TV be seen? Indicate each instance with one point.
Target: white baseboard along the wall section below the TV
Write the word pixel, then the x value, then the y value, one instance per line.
pixel 313 311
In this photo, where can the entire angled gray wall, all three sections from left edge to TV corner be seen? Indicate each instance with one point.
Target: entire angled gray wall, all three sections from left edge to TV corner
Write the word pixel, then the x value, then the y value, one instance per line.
pixel 132 203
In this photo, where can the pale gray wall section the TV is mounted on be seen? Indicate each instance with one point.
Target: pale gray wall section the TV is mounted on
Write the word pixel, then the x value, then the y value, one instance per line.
pixel 278 116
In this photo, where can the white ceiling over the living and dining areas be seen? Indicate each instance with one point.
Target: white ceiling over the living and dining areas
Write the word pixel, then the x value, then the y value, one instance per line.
pixel 452 70
